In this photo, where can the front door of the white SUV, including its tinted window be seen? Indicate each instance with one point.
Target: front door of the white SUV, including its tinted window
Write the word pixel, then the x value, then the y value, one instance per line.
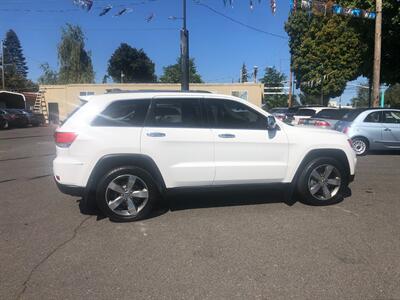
pixel 245 151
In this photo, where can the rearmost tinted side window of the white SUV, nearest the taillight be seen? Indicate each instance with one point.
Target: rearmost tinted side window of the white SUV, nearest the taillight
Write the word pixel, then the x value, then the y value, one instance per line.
pixel 123 113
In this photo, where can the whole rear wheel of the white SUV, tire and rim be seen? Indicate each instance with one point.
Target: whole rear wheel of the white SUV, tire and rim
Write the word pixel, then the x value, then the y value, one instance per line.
pixel 126 194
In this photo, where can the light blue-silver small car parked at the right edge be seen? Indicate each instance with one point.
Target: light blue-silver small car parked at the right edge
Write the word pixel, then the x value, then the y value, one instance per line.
pixel 372 129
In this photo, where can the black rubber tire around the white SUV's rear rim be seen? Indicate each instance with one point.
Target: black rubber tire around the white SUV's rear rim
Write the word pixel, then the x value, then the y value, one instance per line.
pixel 145 179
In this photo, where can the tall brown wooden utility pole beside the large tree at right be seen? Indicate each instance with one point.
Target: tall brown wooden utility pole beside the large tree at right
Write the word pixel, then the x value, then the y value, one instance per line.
pixel 377 53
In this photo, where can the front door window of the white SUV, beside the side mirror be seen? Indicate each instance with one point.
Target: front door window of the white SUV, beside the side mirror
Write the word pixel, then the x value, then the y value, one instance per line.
pixel 233 115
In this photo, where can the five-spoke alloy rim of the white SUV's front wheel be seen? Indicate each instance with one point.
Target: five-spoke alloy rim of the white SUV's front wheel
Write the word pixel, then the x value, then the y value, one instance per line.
pixel 324 182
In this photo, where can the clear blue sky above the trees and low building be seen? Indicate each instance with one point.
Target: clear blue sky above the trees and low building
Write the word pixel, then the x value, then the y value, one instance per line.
pixel 219 45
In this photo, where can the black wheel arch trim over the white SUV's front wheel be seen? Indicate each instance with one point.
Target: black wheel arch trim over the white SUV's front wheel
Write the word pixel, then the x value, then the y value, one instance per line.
pixel 338 154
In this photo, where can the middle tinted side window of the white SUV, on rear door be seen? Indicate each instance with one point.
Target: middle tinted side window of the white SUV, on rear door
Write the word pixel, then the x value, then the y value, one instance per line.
pixel 175 113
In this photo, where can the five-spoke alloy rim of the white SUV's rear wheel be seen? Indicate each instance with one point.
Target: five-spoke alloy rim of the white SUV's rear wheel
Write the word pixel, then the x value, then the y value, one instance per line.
pixel 127 195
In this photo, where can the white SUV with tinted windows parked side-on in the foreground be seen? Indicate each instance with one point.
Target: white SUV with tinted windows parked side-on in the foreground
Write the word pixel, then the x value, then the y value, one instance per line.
pixel 131 148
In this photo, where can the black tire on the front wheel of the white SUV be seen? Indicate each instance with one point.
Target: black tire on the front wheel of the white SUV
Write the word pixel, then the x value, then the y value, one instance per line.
pixel 306 179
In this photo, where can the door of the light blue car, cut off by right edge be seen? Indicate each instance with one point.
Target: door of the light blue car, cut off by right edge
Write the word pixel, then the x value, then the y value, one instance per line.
pixel 391 129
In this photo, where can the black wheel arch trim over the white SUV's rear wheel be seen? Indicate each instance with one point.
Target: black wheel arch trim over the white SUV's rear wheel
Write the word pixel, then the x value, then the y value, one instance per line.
pixel 110 161
